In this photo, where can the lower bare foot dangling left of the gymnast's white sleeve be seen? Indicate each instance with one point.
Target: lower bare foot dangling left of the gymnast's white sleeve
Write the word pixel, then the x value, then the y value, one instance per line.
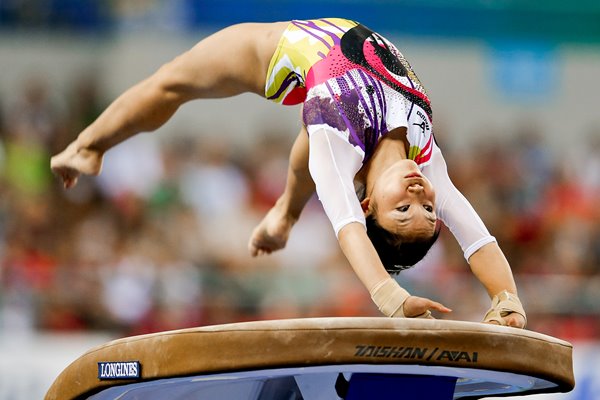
pixel 272 233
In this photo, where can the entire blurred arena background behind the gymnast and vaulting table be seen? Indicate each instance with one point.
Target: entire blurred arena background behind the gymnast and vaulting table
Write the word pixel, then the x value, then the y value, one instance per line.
pixel 158 241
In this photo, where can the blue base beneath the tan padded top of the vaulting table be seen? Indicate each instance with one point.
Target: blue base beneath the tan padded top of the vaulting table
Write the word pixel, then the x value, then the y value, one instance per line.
pixel 349 382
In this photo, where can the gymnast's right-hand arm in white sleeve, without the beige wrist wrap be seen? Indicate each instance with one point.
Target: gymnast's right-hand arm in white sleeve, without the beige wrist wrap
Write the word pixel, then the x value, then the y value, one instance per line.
pixel 485 258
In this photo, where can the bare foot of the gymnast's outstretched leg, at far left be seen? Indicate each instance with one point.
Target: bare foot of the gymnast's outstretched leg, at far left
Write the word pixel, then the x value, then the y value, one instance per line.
pixel 74 161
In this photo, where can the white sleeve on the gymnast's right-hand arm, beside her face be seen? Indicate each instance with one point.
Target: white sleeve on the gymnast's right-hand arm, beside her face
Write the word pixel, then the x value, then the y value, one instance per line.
pixel 454 209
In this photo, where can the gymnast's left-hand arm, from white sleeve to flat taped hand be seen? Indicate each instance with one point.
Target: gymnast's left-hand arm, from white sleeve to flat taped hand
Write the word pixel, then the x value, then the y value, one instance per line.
pixel 333 163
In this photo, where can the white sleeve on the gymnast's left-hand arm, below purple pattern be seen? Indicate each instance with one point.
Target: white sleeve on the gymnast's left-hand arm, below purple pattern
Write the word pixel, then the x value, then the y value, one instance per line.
pixel 333 162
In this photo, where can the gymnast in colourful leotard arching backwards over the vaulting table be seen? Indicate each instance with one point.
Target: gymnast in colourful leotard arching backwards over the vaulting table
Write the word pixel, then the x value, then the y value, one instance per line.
pixel 366 147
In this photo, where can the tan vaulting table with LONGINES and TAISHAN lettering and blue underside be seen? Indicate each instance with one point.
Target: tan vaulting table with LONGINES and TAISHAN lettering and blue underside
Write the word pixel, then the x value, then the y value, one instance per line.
pixel 322 359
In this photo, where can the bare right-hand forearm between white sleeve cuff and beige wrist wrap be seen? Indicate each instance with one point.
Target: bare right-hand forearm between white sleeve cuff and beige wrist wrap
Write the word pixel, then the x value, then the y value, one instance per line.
pixel 492 269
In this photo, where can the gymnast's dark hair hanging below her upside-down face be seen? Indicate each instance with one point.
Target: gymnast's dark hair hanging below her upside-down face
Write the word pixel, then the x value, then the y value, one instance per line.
pixel 395 252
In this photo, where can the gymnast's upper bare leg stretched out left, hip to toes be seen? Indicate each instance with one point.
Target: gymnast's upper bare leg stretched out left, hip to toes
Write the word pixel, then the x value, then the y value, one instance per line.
pixel 232 61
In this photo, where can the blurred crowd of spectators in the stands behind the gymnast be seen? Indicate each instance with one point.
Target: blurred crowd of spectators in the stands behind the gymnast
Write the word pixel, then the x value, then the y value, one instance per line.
pixel 159 240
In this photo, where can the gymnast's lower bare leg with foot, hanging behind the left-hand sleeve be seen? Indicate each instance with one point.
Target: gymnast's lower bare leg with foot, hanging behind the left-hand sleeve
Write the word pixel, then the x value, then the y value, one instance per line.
pixel 273 231
